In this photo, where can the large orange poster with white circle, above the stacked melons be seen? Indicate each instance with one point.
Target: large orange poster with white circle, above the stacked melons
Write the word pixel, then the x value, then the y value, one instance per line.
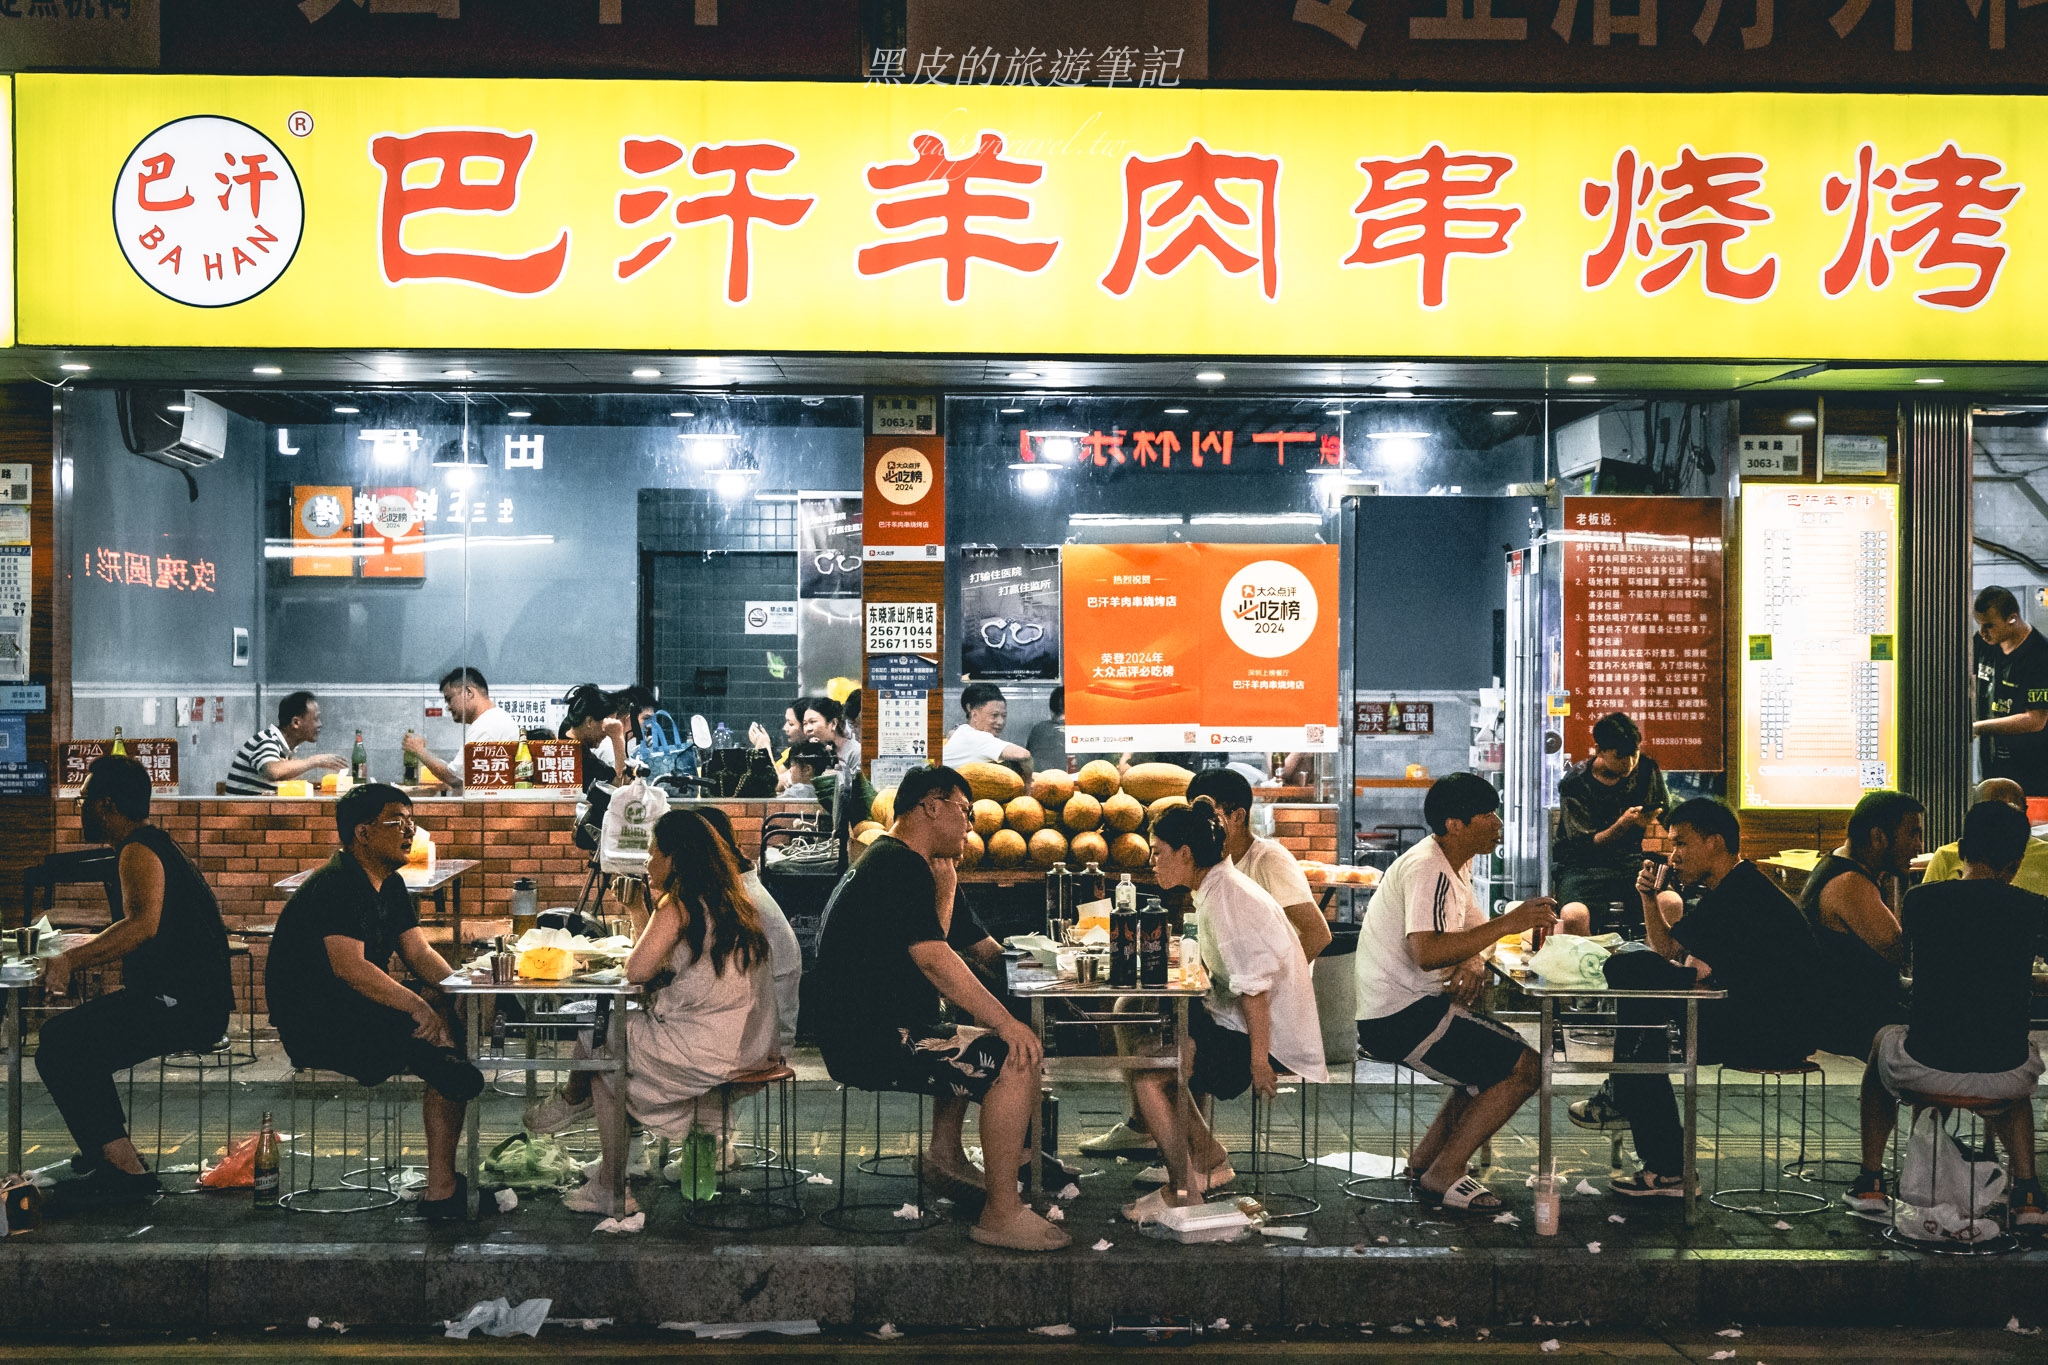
pixel 1175 648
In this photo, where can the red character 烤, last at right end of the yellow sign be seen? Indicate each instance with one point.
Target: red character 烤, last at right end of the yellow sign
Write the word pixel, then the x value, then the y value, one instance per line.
pixel 1945 189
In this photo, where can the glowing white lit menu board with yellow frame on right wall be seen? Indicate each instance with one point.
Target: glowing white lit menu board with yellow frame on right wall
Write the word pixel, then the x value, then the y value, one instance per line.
pixel 1820 644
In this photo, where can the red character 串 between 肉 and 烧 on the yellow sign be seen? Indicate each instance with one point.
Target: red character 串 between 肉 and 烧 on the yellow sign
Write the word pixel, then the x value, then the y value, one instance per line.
pixel 1428 220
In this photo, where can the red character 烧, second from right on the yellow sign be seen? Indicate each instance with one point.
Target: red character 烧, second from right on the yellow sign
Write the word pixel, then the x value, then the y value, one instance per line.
pixel 1705 214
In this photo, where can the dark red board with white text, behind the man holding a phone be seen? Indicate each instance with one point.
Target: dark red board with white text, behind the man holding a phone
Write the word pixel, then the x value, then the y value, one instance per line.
pixel 1644 609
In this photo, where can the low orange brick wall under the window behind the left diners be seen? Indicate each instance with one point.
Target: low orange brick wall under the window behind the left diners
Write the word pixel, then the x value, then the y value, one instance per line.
pixel 247 846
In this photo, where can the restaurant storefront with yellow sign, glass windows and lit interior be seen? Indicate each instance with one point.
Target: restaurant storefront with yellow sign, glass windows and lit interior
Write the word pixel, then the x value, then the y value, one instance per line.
pixel 751 392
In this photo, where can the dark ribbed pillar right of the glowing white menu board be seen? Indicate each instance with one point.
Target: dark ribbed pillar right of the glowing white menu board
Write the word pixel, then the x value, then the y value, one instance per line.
pixel 1936 701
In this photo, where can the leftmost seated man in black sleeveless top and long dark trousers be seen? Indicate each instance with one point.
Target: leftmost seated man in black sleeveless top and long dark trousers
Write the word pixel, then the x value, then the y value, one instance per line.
pixel 175 989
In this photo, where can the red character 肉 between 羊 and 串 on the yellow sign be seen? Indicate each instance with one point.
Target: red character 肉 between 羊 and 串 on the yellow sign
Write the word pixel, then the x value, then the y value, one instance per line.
pixel 1197 177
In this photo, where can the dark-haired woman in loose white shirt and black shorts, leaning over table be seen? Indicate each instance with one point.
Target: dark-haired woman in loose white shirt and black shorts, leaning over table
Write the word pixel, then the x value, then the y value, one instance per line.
pixel 1256 1020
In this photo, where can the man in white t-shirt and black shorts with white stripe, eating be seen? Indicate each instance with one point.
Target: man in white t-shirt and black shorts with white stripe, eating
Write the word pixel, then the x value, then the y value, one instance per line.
pixel 1420 967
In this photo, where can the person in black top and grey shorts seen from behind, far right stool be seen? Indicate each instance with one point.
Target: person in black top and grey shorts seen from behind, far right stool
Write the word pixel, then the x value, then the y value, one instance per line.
pixel 1965 1041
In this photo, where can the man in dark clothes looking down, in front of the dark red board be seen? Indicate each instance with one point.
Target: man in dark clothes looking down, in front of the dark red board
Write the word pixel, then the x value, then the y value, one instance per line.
pixel 1605 805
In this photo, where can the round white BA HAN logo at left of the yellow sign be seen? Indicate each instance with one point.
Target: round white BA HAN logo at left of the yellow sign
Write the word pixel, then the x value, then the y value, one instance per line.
pixel 208 212
